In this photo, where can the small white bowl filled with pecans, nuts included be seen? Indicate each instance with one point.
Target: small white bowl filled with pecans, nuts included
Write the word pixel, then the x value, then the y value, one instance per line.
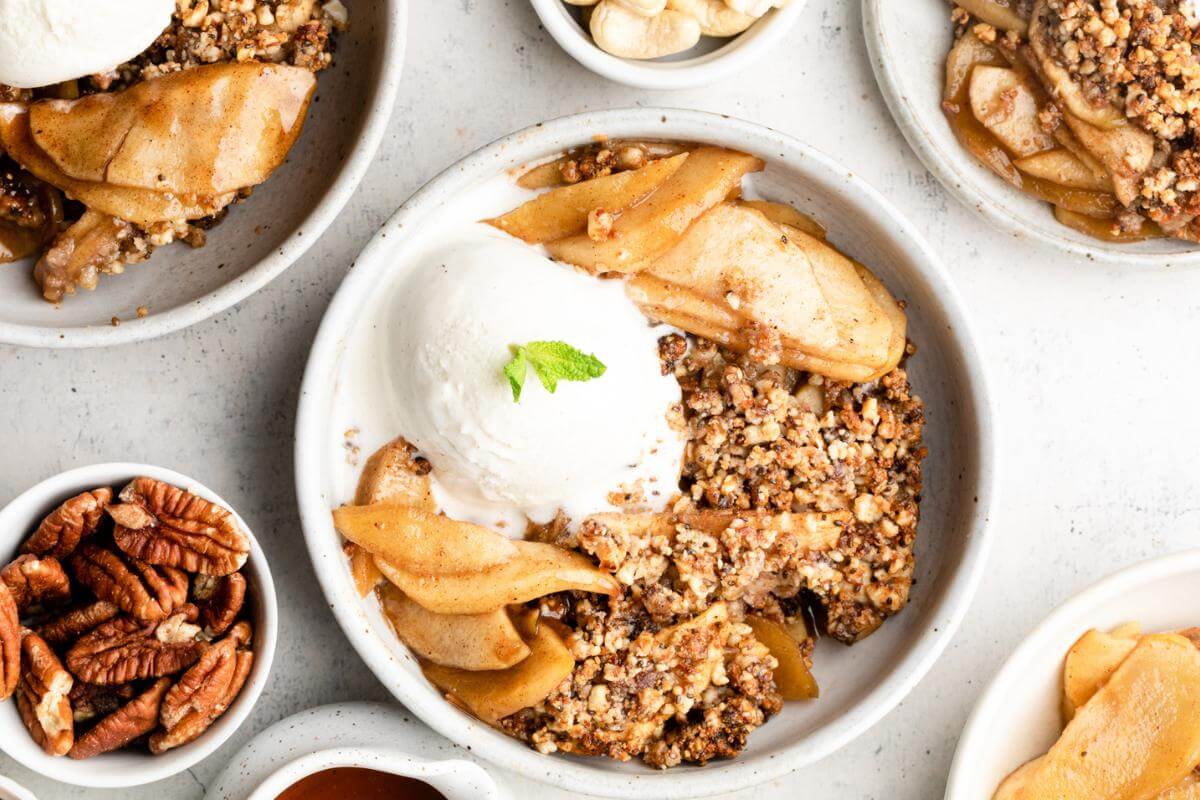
pixel 137 625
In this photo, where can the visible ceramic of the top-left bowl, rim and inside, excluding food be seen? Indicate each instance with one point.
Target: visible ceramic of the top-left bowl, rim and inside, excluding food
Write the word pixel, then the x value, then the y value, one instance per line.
pixel 262 237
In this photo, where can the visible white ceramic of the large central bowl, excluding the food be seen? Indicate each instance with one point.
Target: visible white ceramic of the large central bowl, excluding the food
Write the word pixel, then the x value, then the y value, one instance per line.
pixel 859 684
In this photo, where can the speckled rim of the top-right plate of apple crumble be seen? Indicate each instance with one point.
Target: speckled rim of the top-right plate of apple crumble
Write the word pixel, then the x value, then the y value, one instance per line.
pixel 974 185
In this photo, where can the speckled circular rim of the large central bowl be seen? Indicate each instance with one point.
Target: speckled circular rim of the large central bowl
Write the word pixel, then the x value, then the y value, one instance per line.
pixel 946 613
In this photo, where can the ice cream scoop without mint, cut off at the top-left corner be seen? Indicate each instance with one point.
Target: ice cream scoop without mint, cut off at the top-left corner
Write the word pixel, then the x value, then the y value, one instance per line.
pixel 45 43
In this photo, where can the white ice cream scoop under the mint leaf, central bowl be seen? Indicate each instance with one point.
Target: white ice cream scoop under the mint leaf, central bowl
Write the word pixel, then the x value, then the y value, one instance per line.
pixel 497 462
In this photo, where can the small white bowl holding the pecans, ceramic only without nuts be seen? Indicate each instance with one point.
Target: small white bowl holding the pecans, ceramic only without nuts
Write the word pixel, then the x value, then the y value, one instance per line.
pixel 125 769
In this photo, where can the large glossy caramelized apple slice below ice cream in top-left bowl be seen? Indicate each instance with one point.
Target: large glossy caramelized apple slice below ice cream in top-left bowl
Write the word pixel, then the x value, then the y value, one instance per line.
pixel 205 131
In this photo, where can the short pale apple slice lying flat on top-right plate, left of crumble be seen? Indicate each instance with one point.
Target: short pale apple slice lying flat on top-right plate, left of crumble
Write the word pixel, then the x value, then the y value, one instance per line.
pixel 1007 107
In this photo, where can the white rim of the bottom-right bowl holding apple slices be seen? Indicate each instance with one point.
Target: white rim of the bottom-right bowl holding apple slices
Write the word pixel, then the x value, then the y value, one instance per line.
pixel 1055 634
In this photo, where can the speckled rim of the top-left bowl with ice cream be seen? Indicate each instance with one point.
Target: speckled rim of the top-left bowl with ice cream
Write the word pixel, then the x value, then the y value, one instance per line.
pixel 281 258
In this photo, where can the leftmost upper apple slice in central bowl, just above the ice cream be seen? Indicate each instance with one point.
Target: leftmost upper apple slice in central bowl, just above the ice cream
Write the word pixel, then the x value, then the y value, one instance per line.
pixel 565 212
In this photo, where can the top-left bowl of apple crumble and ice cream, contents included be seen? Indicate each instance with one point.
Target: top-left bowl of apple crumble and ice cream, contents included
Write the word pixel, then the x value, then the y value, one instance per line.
pixel 113 227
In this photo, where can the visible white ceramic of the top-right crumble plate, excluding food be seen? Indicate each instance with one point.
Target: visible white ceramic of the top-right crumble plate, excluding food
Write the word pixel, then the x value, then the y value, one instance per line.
pixel 908 44
